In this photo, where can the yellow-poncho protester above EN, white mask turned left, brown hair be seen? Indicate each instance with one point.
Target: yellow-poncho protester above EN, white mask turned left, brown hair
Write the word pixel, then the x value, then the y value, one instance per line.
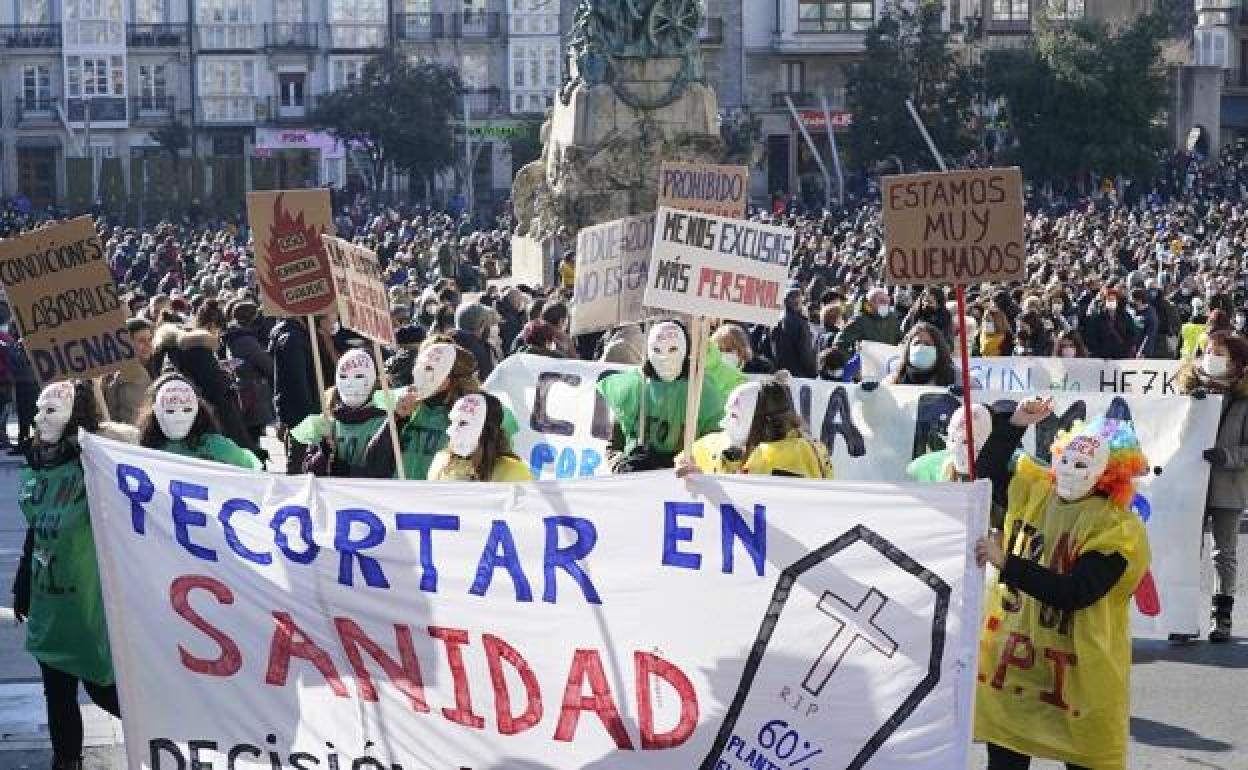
pixel 762 435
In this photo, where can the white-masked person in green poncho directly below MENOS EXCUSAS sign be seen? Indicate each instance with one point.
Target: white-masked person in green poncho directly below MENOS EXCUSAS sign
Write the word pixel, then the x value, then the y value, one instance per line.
pixel 665 381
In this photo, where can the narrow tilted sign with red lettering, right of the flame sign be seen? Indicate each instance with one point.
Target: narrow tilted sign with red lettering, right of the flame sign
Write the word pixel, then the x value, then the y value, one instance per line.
pixel 363 301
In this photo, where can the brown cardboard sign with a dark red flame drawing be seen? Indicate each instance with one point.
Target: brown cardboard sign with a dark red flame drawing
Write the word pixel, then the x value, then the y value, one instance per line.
pixel 291 264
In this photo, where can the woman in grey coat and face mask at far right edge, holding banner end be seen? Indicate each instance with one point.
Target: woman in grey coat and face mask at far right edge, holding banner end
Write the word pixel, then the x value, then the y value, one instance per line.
pixel 1224 370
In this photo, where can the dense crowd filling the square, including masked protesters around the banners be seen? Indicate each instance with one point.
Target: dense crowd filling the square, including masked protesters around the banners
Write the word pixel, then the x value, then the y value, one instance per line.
pixel 1115 275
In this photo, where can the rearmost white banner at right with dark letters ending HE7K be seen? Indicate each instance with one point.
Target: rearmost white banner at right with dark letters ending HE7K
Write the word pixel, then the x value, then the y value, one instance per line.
pixel 1026 374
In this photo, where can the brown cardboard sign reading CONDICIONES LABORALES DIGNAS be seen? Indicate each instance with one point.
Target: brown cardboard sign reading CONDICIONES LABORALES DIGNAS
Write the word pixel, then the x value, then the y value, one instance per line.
pixel 66 303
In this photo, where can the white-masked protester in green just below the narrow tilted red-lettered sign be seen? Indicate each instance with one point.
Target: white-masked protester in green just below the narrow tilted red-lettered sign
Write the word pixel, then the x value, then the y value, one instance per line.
pixel 340 442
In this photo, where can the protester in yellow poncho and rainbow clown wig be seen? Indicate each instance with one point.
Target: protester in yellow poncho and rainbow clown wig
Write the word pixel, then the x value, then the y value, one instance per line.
pixel 1055 651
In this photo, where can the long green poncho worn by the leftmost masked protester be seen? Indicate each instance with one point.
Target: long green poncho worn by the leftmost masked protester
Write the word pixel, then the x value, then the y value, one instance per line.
pixel 67 628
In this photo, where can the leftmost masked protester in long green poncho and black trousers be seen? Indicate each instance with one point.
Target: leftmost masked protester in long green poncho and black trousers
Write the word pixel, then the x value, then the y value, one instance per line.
pixel 57 592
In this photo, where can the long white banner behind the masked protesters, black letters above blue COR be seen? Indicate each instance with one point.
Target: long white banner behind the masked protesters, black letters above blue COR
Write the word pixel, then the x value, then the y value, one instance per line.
pixel 874 435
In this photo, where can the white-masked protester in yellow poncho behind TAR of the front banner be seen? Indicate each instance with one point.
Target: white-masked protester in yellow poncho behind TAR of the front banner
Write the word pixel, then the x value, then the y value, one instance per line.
pixel 477 445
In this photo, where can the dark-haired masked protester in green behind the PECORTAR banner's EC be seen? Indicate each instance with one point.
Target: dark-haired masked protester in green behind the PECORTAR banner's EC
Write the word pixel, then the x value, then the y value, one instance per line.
pixel 179 421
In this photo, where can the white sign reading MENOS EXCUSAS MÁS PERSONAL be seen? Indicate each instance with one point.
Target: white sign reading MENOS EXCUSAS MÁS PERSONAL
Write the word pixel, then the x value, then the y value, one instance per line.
pixel 719 268
